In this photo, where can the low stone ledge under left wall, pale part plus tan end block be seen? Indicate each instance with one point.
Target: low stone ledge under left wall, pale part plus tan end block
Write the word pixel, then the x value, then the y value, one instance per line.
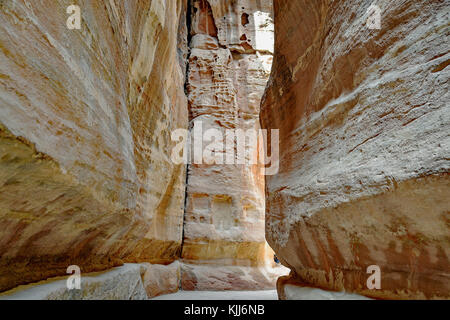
pixel 131 281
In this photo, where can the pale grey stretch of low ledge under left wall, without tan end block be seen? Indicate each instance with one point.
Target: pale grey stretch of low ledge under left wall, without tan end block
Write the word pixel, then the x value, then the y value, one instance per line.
pixel 121 283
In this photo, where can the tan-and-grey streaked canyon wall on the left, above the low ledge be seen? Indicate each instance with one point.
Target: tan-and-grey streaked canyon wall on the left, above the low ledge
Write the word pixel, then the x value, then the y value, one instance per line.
pixel 85 123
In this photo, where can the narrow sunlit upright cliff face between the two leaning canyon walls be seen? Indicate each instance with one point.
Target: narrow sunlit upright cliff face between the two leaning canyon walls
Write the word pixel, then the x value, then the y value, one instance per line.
pixel 229 66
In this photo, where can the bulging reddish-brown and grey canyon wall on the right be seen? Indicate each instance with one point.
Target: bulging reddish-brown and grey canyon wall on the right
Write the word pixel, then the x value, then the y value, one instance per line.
pixel 364 146
